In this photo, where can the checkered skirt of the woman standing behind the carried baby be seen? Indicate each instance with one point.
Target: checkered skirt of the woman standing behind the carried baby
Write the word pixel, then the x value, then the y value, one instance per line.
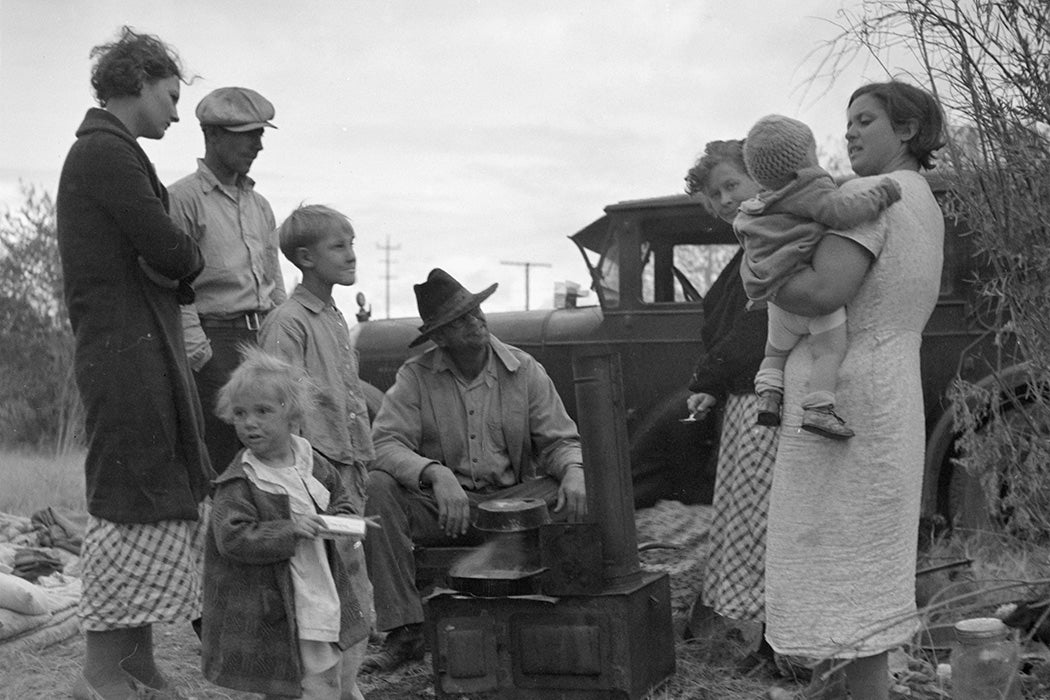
pixel 734 580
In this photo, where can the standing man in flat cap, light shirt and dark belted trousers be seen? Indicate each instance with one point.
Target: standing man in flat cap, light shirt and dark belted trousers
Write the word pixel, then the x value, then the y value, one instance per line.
pixel 236 228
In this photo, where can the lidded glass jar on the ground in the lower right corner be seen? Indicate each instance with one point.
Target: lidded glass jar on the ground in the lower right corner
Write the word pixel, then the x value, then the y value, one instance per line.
pixel 985 661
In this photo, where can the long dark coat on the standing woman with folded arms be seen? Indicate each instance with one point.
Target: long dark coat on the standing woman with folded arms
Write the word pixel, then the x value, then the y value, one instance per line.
pixel 146 460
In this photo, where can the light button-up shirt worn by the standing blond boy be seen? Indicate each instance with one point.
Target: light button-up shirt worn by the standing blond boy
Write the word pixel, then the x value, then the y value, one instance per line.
pixel 312 334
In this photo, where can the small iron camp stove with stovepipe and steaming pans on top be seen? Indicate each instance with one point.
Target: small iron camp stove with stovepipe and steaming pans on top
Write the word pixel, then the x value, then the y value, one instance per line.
pixel 587 623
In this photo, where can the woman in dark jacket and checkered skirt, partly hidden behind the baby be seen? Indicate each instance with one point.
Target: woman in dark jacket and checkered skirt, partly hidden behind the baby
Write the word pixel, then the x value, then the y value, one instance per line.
pixel 734 342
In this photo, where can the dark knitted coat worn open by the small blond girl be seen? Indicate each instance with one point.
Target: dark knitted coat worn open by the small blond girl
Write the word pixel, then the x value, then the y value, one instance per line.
pixel 250 638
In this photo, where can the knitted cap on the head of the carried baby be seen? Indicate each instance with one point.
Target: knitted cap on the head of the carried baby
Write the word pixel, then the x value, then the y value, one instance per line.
pixel 775 150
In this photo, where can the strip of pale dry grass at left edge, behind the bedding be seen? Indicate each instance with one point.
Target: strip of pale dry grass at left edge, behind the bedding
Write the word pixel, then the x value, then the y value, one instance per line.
pixel 32 482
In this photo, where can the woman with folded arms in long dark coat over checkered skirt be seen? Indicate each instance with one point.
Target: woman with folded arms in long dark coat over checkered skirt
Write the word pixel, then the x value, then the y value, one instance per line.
pixel 128 266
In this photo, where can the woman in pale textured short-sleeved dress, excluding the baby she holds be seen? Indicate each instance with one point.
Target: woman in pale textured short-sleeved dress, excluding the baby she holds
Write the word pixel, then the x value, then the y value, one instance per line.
pixel 844 515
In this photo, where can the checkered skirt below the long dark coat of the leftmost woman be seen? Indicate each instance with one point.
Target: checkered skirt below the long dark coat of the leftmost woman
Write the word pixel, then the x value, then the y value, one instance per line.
pixel 135 575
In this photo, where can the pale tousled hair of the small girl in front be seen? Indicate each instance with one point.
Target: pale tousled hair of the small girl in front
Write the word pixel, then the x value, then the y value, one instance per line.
pixel 259 369
